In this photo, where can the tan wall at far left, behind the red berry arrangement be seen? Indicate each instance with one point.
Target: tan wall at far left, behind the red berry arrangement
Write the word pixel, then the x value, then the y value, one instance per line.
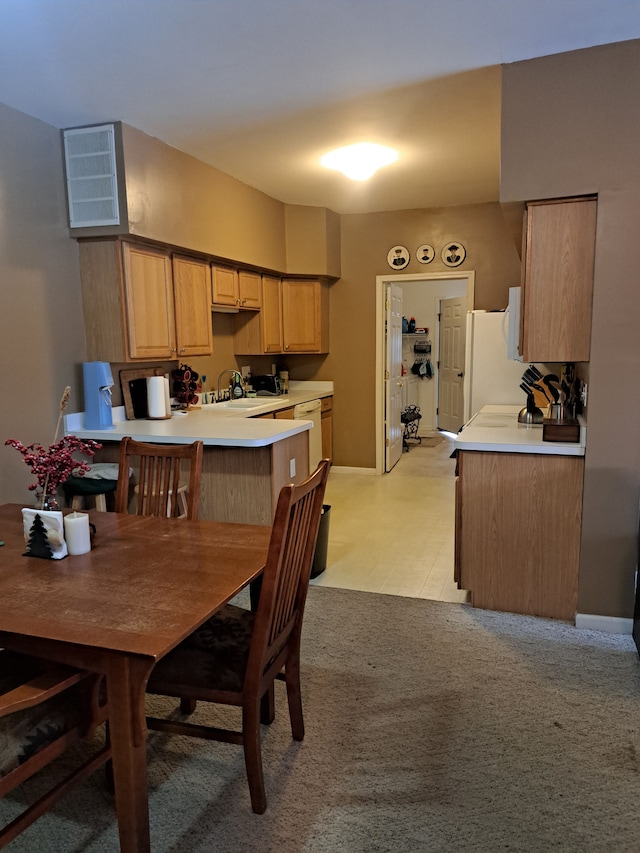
pixel 42 340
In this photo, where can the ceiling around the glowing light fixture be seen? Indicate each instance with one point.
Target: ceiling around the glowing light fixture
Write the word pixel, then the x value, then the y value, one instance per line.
pixel 262 88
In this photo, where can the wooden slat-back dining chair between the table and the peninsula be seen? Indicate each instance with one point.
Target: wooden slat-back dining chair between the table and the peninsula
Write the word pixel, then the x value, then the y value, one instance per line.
pixel 159 490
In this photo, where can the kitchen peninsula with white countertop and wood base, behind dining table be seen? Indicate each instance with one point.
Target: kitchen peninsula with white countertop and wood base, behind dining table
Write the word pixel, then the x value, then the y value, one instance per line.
pixel 248 453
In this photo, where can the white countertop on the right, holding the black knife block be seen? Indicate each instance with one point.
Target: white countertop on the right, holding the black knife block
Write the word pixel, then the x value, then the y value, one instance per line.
pixel 496 428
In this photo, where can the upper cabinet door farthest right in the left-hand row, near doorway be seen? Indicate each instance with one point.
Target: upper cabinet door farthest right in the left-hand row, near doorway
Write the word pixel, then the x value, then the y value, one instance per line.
pixel 301 315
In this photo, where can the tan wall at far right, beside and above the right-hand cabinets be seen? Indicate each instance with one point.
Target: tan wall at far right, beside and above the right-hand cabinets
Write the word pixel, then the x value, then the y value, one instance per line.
pixel 571 126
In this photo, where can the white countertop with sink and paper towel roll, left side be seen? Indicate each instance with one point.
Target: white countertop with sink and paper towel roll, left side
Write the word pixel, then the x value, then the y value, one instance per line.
pixel 215 424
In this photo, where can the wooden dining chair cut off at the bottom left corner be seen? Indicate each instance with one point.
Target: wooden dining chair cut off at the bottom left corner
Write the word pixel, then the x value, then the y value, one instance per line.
pixel 45 708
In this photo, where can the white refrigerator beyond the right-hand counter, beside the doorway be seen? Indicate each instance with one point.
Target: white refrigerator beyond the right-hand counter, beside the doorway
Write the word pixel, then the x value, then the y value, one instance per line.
pixel 490 377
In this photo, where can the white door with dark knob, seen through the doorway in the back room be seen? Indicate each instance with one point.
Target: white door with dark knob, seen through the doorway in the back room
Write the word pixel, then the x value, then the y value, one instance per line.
pixel 453 331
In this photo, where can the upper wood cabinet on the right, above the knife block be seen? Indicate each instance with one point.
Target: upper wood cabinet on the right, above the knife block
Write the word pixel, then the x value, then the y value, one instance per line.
pixel 557 281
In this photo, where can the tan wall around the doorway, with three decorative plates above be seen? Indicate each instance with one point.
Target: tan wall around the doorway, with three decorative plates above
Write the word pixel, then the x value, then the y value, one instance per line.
pixel 366 239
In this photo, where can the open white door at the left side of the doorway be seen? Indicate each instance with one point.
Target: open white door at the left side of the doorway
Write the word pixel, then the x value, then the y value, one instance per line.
pixel 393 375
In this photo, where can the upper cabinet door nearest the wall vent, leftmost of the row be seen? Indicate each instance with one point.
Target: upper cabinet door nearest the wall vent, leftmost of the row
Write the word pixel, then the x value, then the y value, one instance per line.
pixel 150 314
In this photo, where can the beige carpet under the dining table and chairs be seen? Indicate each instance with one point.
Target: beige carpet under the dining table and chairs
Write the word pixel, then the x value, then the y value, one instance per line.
pixel 430 727
